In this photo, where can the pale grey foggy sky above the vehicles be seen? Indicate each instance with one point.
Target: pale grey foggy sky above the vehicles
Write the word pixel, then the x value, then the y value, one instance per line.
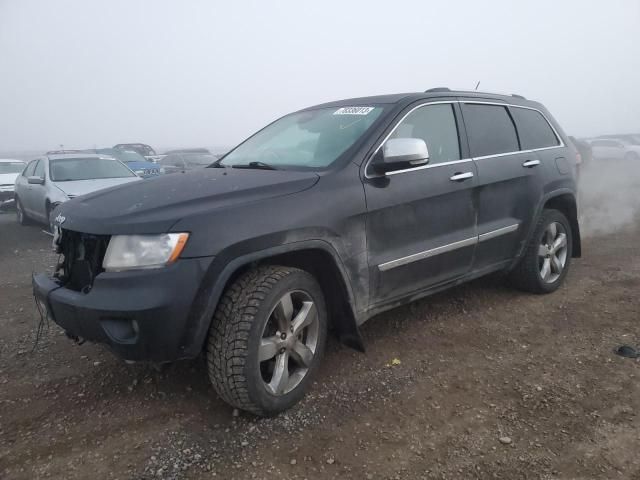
pixel 194 73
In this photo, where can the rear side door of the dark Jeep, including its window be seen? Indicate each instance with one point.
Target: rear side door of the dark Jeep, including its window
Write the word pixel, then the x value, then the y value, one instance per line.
pixel 510 182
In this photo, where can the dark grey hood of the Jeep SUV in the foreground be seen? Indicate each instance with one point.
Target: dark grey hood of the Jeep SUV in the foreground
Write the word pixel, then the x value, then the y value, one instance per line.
pixel 154 205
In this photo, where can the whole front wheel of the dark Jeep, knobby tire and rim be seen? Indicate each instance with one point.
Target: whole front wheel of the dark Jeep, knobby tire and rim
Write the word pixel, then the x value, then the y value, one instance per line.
pixel 247 352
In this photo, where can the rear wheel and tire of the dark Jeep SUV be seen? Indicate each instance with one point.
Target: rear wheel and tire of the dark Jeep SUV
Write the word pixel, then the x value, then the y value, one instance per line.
pixel 538 271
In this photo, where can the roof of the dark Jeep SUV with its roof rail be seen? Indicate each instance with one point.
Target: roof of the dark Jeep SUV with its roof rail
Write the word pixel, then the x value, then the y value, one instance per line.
pixel 432 93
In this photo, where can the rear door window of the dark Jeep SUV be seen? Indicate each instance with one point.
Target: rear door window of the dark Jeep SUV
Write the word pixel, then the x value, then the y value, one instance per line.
pixel 491 130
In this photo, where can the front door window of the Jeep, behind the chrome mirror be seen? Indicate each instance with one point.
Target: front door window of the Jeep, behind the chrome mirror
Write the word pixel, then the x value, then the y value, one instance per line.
pixel 436 125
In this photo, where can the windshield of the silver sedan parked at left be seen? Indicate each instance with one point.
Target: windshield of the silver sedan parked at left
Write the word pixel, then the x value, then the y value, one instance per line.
pixel 70 169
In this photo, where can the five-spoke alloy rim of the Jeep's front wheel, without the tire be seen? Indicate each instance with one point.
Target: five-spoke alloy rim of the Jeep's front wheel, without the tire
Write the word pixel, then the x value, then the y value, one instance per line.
pixel 289 342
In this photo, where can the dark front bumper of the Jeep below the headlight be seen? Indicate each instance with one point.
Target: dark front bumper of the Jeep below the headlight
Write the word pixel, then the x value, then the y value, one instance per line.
pixel 140 315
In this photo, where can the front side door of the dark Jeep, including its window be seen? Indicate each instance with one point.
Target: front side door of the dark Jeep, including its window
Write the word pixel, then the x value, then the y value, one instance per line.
pixel 421 225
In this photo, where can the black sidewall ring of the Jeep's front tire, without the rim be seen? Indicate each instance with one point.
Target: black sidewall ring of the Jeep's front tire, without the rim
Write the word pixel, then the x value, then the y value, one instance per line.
pixel 258 394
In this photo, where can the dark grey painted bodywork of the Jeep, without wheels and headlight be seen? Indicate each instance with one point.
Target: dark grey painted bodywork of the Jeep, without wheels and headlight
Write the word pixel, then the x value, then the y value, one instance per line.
pixel 393 237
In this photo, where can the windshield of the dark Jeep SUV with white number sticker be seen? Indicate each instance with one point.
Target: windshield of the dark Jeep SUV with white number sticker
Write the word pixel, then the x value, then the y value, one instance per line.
pixel 310 139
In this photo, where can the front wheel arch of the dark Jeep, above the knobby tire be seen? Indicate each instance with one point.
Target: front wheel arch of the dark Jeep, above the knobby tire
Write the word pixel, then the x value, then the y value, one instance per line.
pixel 317 257
